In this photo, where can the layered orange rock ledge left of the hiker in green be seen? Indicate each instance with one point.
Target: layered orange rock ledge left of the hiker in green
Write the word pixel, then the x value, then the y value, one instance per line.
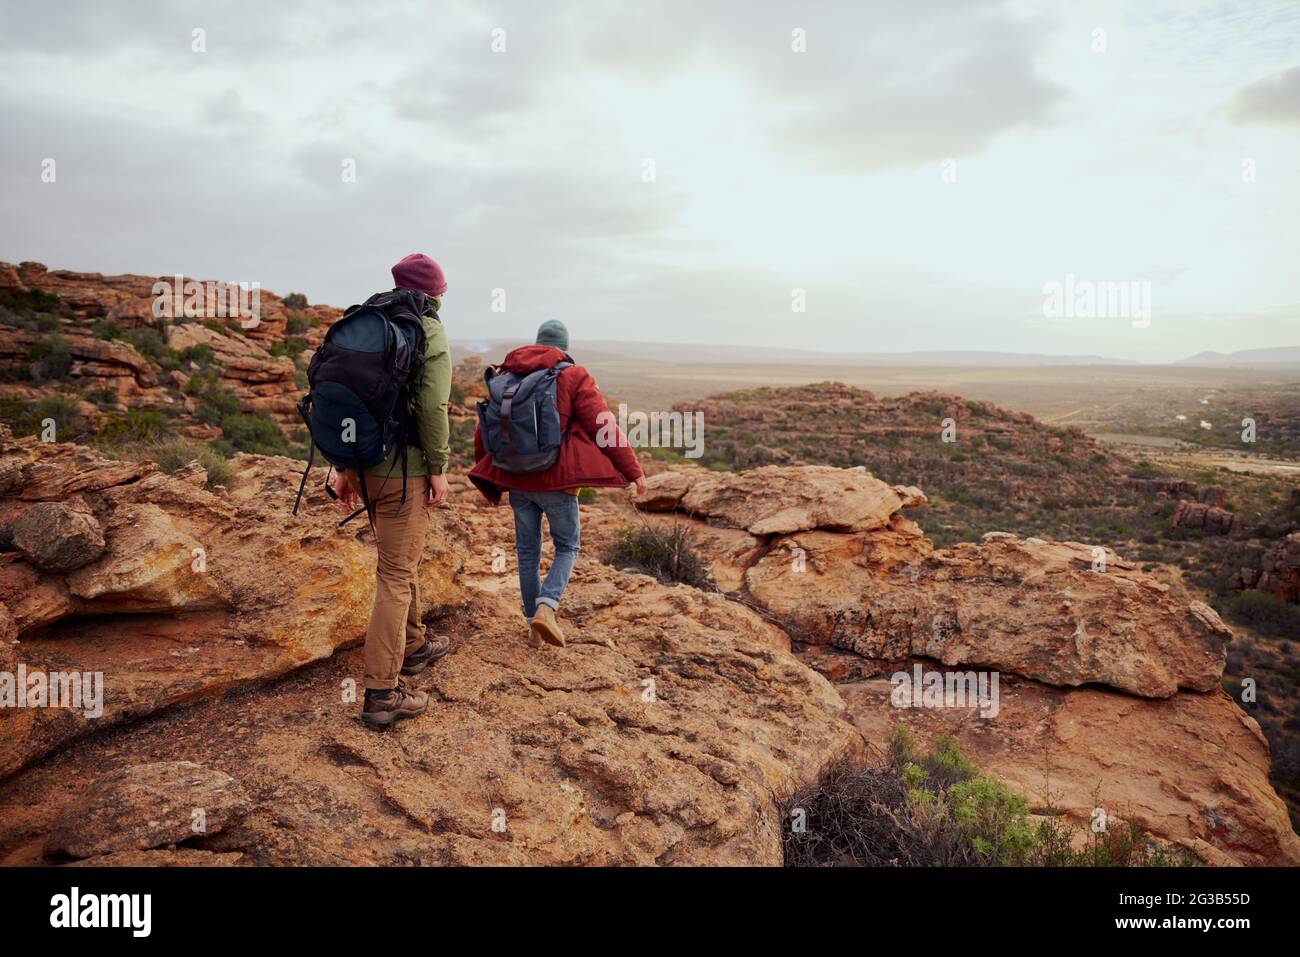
pixel 232 587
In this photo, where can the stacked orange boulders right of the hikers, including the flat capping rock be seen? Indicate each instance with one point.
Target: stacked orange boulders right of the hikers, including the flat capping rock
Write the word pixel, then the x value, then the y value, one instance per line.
pixel 865 579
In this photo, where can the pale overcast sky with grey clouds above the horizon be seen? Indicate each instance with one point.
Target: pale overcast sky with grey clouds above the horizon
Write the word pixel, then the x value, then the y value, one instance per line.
pixel 839 176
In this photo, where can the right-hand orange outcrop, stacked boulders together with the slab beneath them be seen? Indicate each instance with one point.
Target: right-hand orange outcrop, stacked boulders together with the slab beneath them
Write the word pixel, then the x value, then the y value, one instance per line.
pixel 1108 674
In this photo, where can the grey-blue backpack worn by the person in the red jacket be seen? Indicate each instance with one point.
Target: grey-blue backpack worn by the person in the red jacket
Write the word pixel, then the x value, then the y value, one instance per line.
pixel 521 421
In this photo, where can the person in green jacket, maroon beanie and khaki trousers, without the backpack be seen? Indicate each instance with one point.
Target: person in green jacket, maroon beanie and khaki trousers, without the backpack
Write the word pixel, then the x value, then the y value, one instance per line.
pixel 396 640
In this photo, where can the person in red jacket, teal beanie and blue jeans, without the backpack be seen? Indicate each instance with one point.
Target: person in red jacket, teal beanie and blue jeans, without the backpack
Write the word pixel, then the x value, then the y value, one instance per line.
pixel 583 464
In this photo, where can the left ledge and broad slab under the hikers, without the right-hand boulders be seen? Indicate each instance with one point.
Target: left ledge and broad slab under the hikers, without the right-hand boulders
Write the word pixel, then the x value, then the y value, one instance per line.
pixel 666 733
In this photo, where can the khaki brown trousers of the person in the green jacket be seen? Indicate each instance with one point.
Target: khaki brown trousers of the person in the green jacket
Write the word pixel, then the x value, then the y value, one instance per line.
pixel 396 630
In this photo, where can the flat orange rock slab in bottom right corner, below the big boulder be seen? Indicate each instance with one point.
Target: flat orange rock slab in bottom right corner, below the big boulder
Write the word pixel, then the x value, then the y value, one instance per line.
pixel 1193 769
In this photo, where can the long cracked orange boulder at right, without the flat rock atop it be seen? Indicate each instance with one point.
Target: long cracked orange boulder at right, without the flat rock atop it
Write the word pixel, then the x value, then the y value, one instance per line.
pixel 1034 609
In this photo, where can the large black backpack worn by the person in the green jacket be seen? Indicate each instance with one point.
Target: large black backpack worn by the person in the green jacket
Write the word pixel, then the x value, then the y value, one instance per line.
pixel 361 380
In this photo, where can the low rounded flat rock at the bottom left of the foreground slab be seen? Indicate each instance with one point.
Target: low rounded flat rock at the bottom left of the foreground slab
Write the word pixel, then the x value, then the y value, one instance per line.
pixel 148 807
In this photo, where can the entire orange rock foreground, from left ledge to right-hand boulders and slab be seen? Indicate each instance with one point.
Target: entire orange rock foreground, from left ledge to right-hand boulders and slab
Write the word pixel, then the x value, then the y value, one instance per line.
pixel 668 733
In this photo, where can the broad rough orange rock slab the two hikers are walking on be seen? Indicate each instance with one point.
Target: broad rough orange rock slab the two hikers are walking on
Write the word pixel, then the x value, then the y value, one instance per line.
pixel 666 733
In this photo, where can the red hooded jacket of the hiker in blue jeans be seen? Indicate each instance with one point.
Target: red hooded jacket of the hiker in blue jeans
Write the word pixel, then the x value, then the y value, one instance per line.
pixel 582 462
